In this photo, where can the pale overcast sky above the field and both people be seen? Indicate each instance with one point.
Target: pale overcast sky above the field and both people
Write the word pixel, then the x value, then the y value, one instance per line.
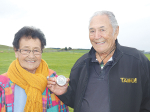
pixel 65 22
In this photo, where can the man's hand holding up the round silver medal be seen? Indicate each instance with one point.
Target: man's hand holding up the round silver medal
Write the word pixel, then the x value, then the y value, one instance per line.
pixel 55 88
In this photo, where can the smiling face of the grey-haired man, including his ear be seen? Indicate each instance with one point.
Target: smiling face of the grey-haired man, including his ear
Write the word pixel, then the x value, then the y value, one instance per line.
pixel 101 34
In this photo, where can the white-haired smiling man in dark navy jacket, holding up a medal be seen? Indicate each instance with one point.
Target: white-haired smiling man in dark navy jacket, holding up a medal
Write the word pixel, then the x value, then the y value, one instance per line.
pixel 110 78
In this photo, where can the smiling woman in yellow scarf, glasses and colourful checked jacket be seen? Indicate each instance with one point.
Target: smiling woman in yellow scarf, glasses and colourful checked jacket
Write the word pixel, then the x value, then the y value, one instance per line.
pixel 23 87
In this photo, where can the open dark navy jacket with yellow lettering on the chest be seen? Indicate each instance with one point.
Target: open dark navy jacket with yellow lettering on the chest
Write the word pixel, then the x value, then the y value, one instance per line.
pixel 129 82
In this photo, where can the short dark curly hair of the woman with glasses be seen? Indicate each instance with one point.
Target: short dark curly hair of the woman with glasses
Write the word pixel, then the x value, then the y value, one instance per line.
pixel 28 31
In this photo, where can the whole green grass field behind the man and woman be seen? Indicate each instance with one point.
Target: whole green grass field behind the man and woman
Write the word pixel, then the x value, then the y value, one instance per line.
pixel 61 62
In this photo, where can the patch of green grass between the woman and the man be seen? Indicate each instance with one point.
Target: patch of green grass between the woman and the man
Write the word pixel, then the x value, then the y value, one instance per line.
pixel 61 62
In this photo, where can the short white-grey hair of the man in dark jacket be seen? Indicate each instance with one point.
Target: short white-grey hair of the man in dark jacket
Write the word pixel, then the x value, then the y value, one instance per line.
pixel 111 17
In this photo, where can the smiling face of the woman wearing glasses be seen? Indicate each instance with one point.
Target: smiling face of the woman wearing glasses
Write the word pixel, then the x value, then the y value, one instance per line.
pixel 29 62
